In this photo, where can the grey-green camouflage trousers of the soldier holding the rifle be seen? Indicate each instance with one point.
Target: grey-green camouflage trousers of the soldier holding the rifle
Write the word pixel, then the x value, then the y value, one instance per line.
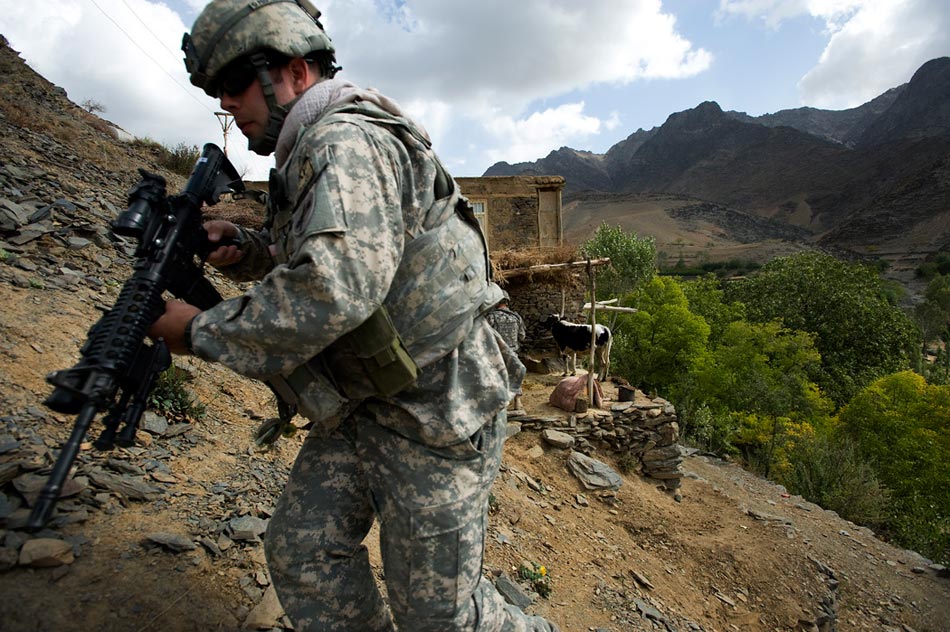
pixel 432 506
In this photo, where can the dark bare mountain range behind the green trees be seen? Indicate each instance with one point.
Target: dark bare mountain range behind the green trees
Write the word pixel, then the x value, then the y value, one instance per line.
pixel 867 181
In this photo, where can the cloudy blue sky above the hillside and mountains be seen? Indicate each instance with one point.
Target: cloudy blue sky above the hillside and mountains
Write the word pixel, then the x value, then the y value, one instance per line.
pixel 503 80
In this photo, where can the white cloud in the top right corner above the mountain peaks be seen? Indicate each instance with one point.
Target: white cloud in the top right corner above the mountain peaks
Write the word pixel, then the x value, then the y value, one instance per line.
pixel 873 45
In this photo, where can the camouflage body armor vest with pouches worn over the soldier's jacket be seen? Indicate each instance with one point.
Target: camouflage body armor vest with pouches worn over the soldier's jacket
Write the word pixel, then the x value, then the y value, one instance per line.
pixel 442 284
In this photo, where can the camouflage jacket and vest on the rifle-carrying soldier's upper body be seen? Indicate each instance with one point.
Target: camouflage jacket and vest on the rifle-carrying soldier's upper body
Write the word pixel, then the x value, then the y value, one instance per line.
pixel 335 251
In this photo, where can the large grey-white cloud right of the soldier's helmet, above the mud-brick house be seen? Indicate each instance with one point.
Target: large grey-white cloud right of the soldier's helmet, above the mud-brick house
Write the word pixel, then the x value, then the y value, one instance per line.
pixel 501 57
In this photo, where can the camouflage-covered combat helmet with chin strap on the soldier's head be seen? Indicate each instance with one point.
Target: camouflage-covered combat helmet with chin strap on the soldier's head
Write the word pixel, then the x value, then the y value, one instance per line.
pixel 239 31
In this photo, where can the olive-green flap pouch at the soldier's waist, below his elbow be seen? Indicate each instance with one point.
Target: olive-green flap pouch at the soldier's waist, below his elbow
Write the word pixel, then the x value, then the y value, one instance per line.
pixel 384 356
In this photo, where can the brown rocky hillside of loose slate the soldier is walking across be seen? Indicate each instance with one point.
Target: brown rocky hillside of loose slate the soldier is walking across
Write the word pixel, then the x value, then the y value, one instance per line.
pixel 165 534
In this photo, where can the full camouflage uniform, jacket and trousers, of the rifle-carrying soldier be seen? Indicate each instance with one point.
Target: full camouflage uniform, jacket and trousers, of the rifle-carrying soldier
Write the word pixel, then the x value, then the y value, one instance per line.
pixel 353 192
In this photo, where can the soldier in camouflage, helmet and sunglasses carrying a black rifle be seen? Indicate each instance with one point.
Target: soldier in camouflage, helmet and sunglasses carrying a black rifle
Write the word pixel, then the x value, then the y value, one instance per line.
pixel 368 318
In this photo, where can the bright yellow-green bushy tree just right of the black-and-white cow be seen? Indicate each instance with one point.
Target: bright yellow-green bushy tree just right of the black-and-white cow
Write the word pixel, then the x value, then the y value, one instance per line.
pixel 659 343
